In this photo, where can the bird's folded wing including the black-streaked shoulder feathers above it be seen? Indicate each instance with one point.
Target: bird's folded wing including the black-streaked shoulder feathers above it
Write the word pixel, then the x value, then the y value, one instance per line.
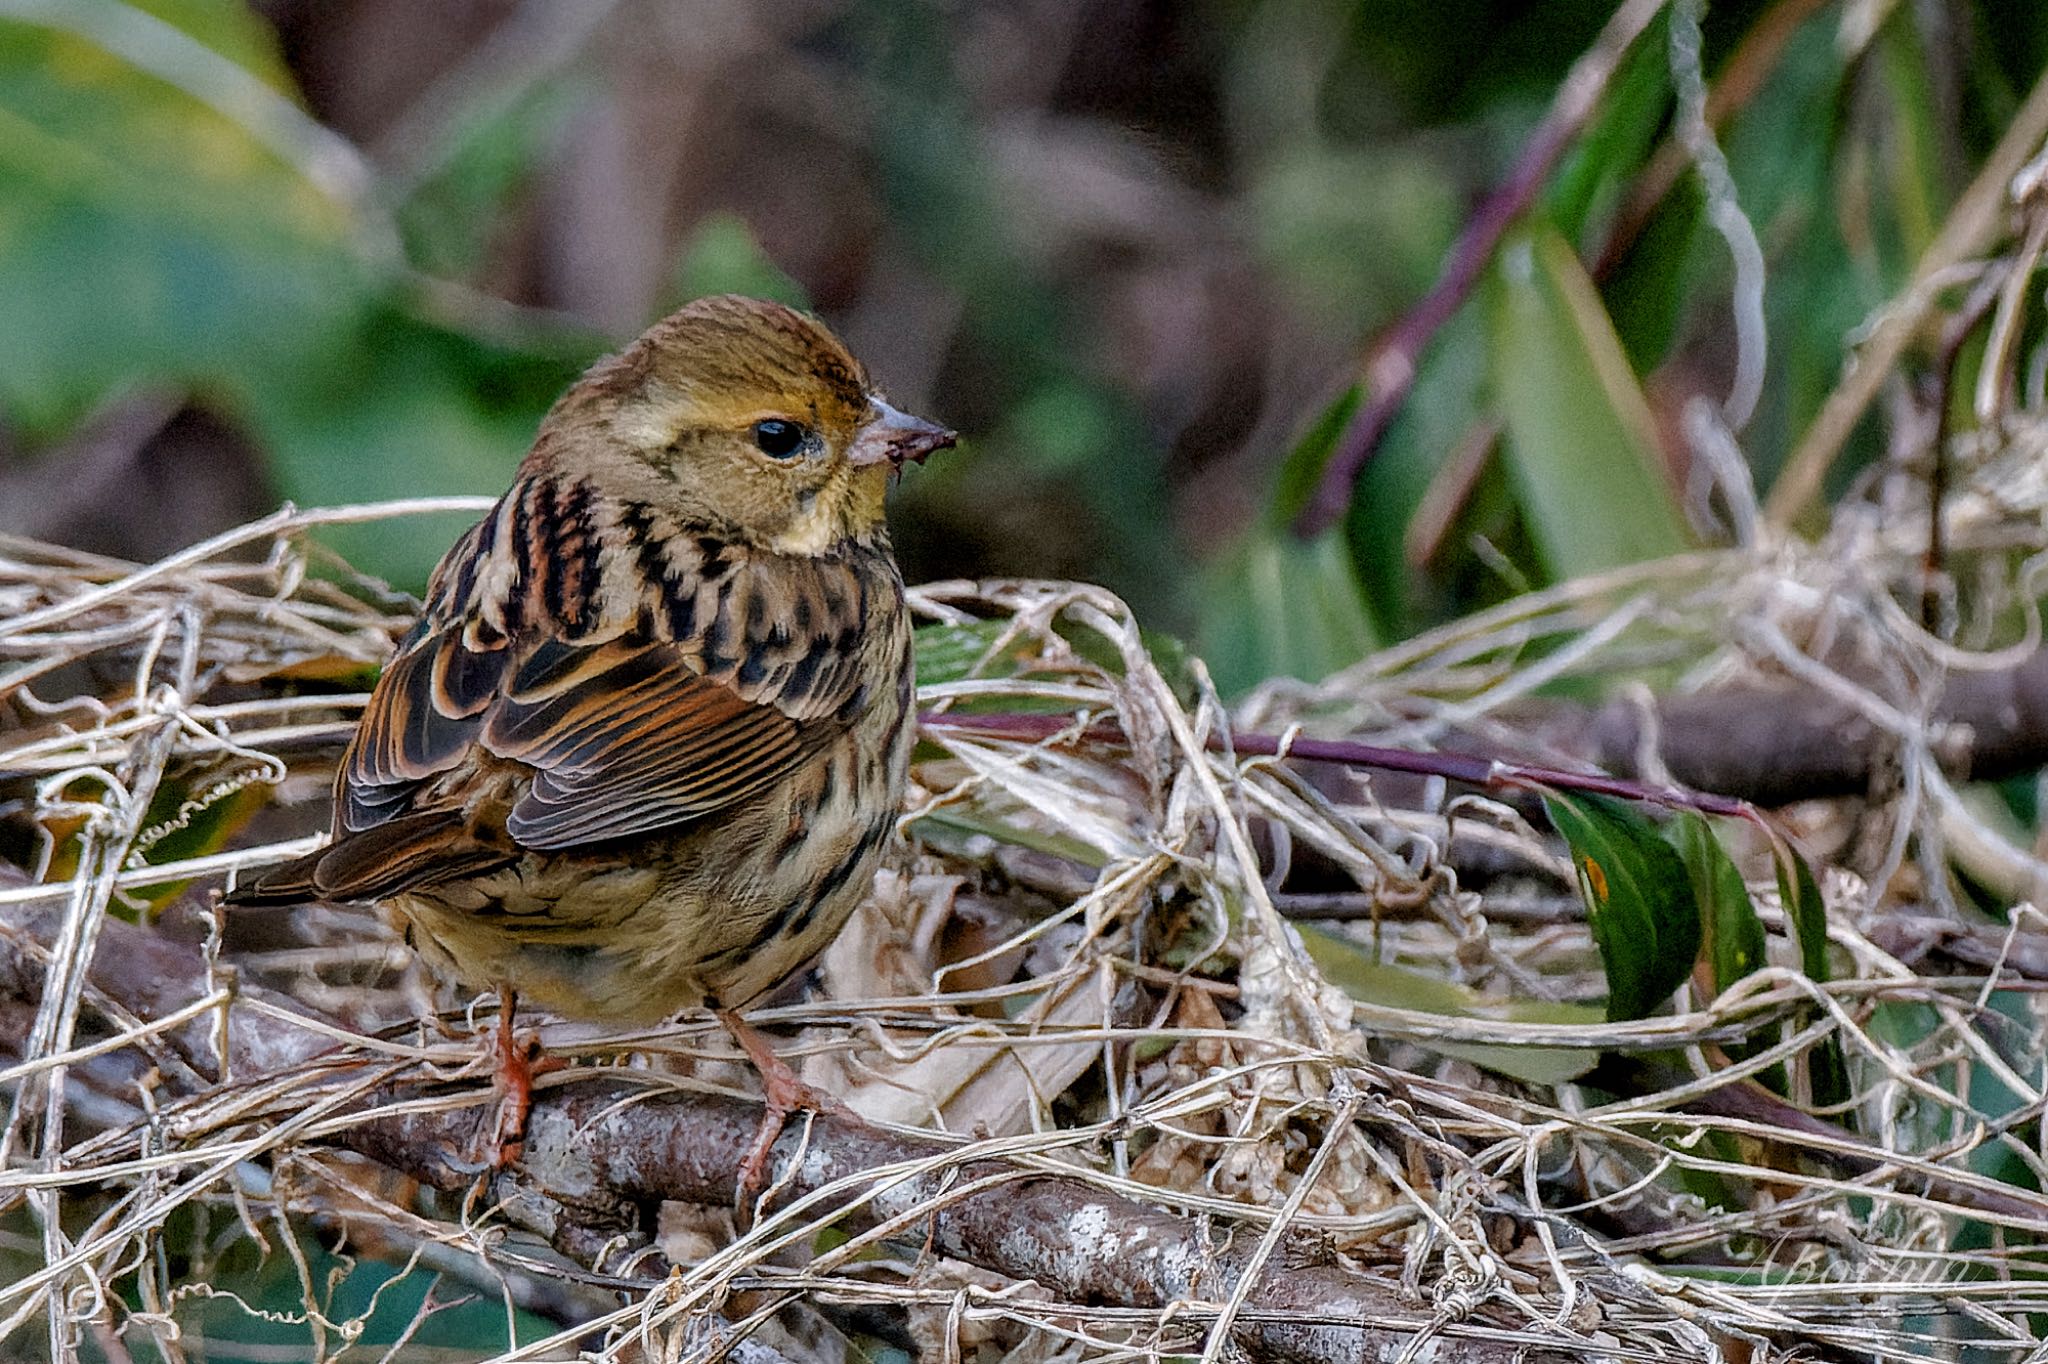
pixel 626 732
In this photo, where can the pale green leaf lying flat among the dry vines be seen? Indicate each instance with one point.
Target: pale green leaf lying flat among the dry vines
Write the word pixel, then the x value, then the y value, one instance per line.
pixel 1363 978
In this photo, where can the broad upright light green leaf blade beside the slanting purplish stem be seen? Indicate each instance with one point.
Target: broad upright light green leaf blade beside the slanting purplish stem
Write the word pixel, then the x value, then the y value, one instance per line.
pixel 1582 439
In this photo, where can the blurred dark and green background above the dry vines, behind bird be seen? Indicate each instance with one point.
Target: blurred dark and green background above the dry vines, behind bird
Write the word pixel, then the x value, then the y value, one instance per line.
pixel 339 251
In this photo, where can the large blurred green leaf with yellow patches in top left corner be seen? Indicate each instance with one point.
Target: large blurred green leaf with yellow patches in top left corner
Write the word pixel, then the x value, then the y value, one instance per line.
pixel 144 235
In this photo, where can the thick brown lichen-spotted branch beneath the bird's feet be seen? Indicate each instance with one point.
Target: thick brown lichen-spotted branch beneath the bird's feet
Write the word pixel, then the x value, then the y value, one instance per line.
pixel 603 1148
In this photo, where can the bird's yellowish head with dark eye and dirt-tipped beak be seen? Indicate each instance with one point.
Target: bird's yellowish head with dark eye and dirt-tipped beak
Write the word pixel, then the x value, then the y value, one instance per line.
pixel 749 417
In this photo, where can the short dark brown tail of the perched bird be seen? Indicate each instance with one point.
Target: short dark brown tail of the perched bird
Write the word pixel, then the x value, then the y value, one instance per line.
pixel 396 857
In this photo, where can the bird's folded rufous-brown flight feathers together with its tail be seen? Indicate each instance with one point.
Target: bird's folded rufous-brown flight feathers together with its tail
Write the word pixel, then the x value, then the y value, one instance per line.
pixel 617 738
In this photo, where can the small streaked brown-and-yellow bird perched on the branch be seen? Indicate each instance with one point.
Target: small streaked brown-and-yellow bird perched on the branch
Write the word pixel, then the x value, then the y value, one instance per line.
pixel 652 728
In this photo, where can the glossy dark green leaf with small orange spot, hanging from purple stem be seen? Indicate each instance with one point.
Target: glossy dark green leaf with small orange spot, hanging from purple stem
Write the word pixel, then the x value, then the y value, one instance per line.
pixel 1637 894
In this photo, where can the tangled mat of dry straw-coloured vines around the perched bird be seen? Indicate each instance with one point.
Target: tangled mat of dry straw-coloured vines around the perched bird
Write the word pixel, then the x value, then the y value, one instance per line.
pixel 1115 1103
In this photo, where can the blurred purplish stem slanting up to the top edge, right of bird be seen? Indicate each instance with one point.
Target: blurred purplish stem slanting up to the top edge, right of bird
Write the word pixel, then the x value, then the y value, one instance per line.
pixel 1396 357
